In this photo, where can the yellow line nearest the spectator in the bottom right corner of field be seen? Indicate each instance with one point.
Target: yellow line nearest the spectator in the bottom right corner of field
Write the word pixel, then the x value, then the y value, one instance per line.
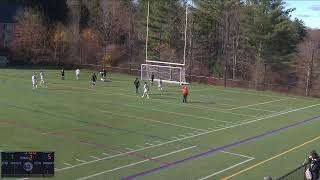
pixel 270 159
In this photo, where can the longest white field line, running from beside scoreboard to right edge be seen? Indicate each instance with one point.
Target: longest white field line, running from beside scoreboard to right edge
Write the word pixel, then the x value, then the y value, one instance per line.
pixel 250 121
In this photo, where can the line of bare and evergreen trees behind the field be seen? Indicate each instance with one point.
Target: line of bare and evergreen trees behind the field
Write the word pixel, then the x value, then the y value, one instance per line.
pixel 253 40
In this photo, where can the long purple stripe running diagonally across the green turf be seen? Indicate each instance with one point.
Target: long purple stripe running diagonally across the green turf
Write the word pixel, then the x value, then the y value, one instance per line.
pixel 226 147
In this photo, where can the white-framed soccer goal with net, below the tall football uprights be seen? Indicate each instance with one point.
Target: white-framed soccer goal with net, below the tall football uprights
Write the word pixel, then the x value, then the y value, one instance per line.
pixel 169 74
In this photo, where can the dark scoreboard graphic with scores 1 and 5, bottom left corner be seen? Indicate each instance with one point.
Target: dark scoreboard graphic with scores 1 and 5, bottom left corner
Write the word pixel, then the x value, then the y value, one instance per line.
pixel 27 164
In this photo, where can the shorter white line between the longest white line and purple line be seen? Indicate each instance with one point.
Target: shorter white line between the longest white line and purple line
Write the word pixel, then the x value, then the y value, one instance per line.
pixel 133 164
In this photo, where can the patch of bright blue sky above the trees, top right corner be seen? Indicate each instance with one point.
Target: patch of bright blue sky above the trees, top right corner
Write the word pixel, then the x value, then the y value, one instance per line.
pixel 306 10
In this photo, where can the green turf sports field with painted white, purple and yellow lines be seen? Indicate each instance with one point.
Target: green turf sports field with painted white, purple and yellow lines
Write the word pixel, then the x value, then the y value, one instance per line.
pixel 109 132
